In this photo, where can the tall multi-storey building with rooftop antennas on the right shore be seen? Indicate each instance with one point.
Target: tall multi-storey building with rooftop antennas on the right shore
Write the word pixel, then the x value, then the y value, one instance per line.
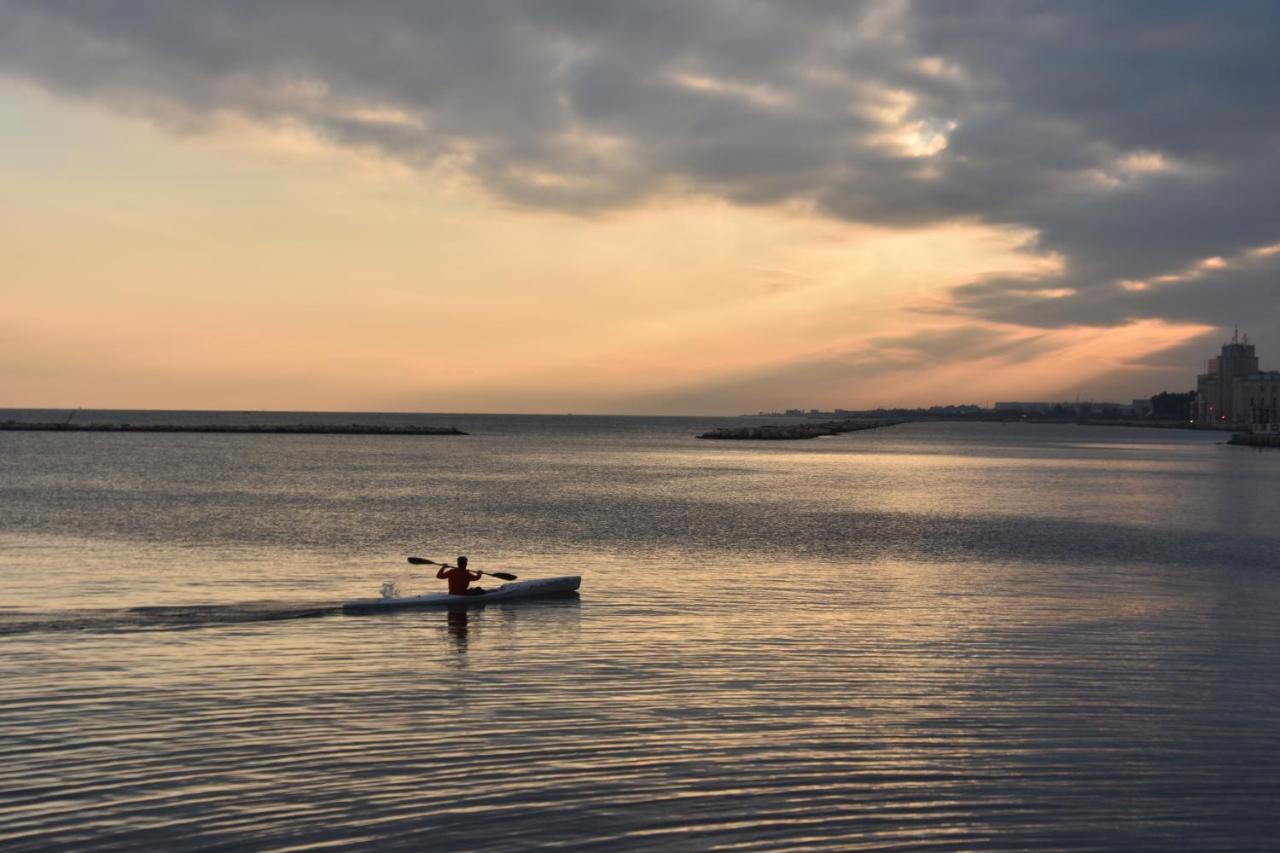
pixel 1232 390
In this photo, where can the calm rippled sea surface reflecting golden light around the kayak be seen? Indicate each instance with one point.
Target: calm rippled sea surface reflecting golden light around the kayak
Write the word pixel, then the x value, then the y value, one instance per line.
pixel 934 636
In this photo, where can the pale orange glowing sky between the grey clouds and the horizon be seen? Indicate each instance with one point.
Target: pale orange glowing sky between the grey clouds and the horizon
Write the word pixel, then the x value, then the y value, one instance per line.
pixel 254 266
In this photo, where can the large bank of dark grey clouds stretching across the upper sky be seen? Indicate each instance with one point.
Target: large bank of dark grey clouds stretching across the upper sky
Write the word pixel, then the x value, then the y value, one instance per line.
pixel 1135 139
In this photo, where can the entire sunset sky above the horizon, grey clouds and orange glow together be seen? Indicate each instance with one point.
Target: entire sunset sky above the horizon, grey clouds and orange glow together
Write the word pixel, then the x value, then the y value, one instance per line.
pixel 632 207
